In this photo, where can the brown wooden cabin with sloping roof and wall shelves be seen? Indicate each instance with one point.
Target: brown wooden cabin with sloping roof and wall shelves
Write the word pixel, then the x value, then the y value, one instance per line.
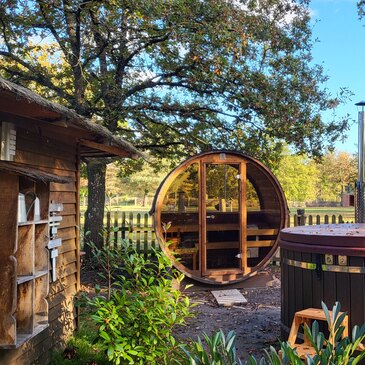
pixel 42 144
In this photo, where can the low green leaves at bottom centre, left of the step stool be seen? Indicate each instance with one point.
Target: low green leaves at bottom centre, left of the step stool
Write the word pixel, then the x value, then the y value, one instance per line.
pixel 215 350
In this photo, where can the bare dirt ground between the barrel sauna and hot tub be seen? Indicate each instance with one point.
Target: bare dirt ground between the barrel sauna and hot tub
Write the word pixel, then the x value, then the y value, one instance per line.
pixel 257 324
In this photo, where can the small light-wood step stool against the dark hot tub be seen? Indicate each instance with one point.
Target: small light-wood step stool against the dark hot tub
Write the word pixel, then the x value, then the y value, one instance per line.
pixel 307 316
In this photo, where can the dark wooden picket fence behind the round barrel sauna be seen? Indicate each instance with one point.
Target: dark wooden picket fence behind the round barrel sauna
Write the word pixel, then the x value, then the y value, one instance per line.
pixel 138 228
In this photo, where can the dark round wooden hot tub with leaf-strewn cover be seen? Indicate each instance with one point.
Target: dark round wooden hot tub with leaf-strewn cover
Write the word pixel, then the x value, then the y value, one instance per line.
pixel 323 263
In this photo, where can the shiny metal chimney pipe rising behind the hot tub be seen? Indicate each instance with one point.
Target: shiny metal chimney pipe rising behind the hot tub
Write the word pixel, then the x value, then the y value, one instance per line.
pixel 360 184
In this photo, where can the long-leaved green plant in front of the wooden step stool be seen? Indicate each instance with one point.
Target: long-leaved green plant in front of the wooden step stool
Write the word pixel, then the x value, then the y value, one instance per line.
pixel 333 350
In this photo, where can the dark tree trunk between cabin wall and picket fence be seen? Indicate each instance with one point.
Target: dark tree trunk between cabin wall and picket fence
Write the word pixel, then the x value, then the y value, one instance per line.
pixel 94 215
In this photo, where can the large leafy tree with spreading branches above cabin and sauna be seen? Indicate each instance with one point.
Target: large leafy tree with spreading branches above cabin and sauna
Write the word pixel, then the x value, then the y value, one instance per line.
pixel 175 77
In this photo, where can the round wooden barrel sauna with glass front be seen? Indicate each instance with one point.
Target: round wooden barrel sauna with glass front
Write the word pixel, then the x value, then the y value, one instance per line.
pixel 218 215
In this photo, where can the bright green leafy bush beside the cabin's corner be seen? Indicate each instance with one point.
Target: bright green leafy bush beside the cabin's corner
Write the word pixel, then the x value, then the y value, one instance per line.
pixel 135 325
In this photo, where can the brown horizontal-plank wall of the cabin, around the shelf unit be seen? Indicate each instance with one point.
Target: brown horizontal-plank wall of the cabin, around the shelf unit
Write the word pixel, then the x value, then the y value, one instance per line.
pixel 45 150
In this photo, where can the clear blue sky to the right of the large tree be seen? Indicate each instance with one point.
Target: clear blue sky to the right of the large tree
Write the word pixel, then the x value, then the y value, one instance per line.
pixel 341 51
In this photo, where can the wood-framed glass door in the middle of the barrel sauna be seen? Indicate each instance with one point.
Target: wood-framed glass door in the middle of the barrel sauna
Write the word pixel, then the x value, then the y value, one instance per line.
pixel 221 228
